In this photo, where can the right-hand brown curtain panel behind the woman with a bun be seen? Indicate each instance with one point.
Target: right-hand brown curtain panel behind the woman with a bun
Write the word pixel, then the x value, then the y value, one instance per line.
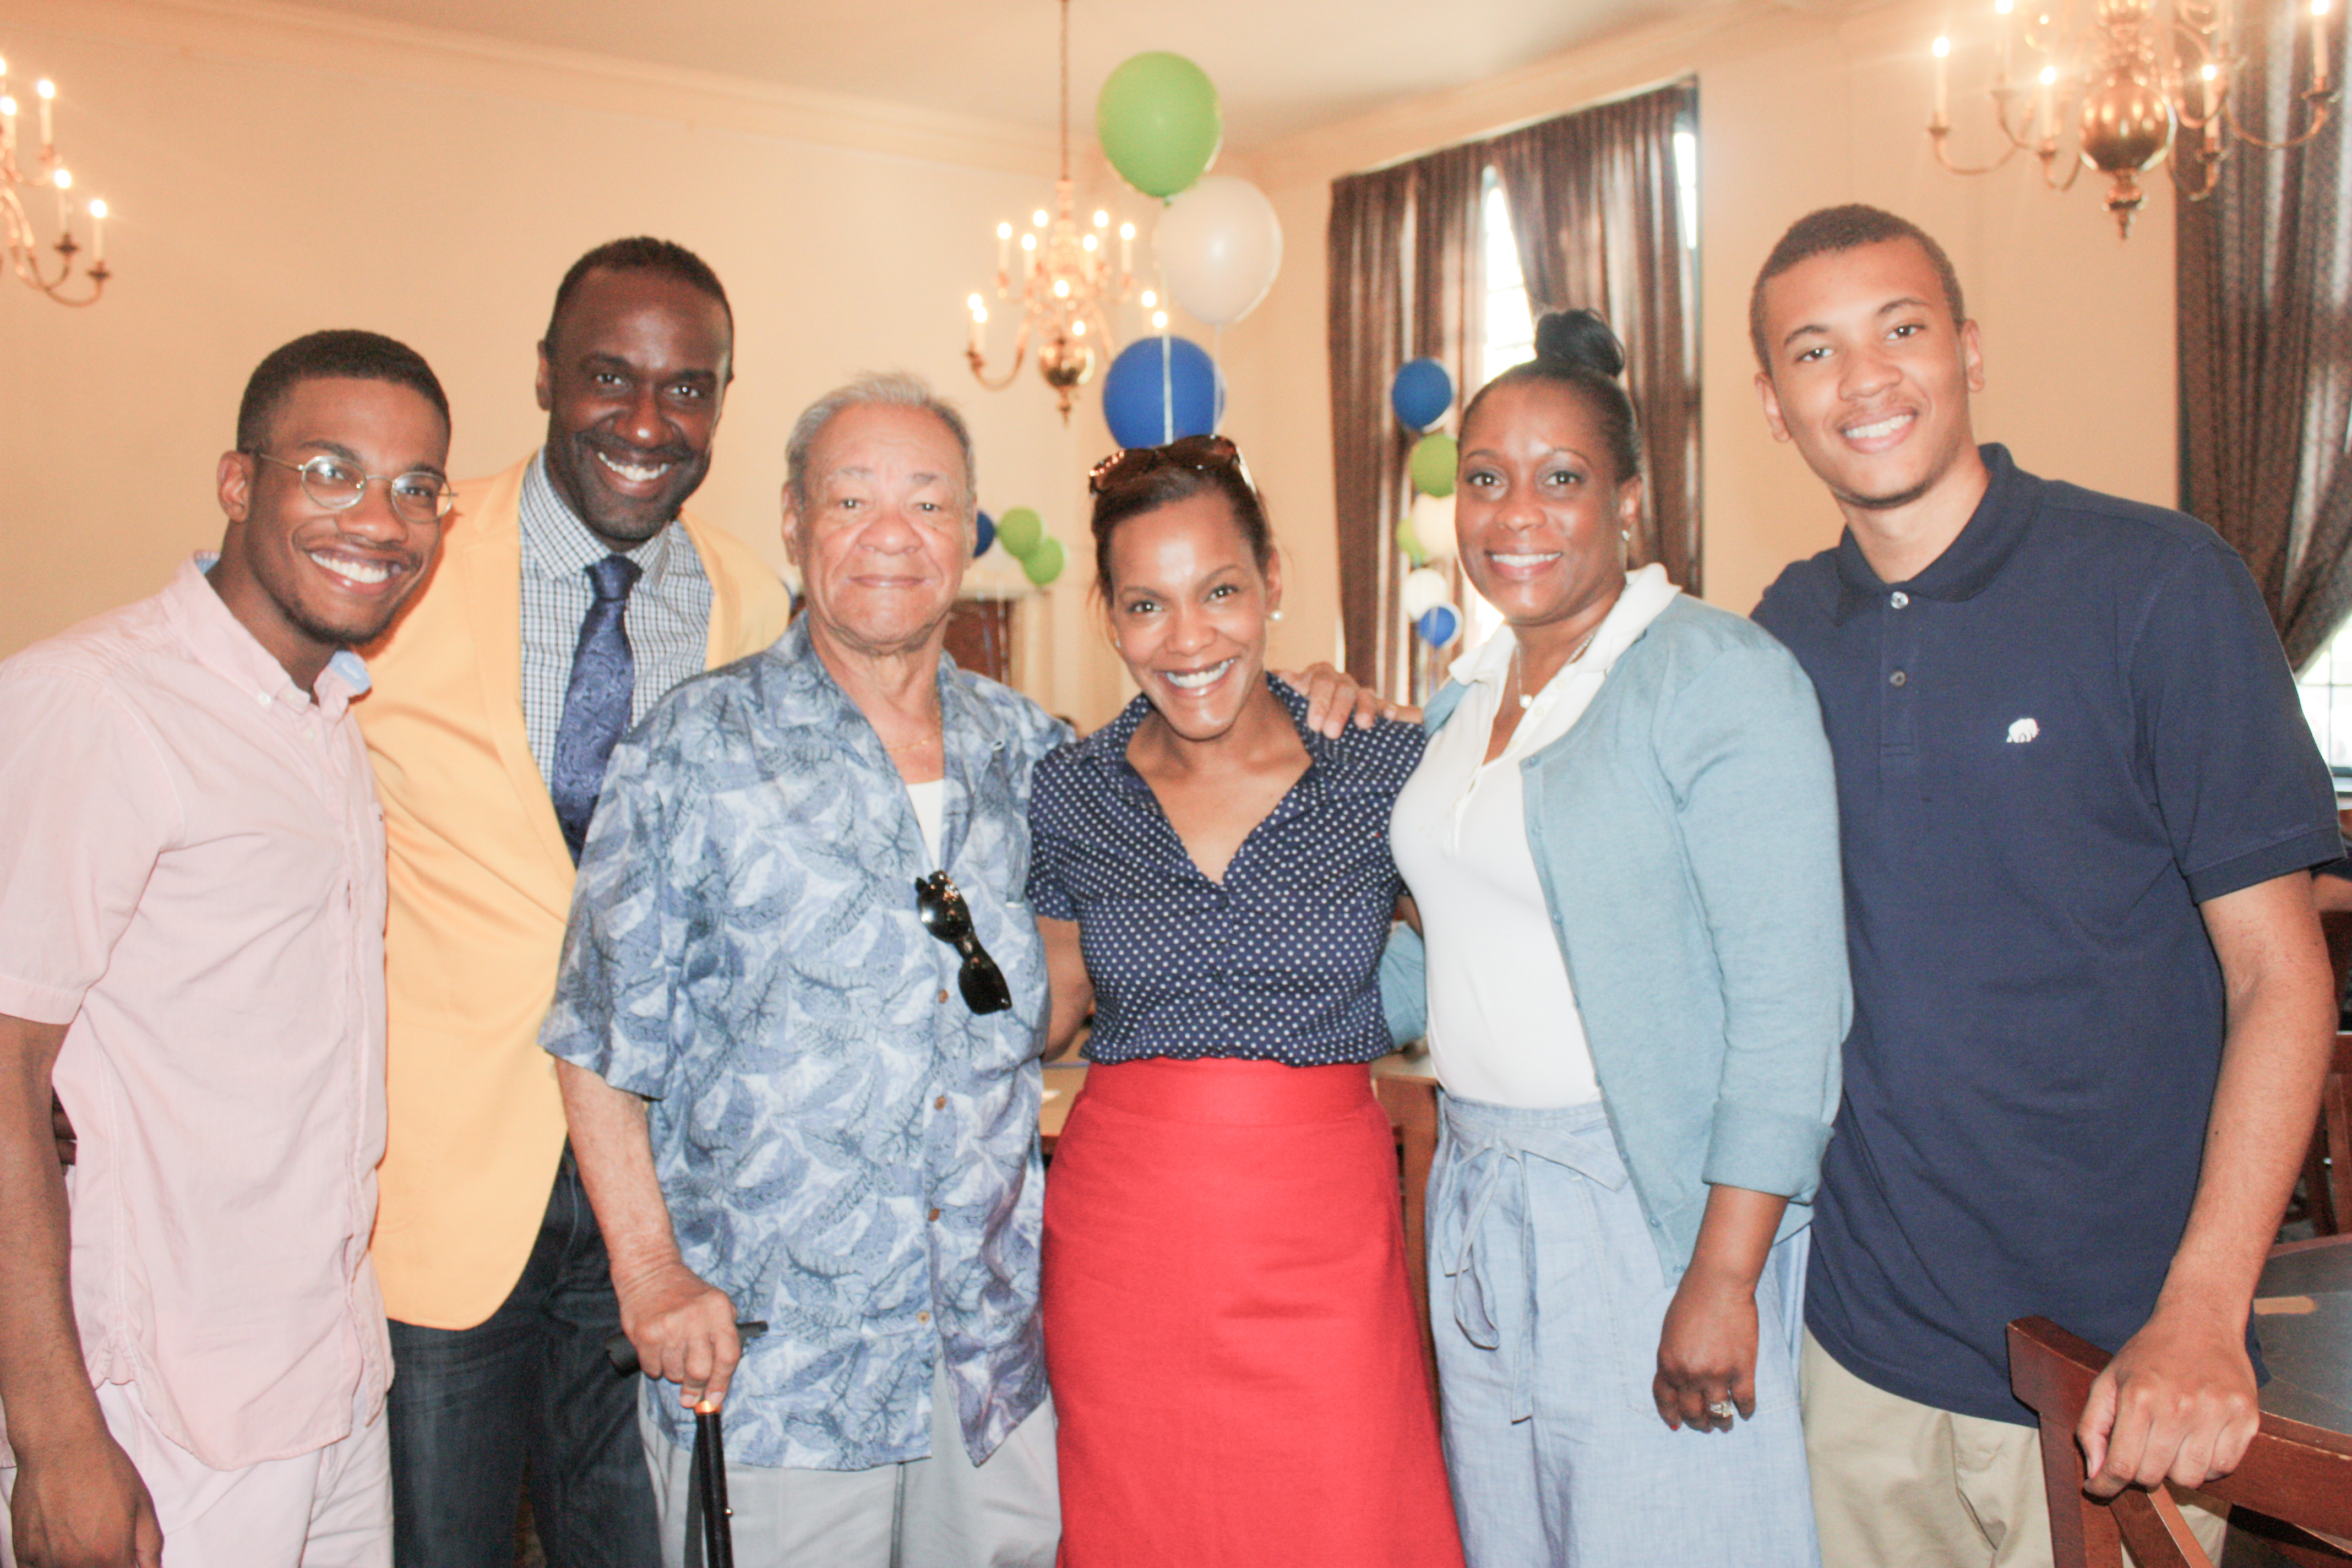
pixel 1598 215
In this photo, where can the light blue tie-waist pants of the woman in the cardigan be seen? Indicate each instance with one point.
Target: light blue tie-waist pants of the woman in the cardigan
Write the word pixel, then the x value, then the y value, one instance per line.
pixel 1549 1299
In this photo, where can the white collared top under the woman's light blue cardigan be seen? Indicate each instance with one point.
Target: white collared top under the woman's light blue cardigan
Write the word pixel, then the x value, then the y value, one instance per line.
pixel 1504 1024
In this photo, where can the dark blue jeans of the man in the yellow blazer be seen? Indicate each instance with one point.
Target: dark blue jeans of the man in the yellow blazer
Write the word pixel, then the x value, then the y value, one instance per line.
pixel 523 1398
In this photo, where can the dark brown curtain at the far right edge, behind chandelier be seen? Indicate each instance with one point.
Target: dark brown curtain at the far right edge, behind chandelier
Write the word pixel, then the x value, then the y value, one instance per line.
pixel 2266 349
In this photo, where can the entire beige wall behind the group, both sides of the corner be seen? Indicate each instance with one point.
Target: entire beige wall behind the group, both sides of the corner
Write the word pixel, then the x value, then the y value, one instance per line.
pixel 279 173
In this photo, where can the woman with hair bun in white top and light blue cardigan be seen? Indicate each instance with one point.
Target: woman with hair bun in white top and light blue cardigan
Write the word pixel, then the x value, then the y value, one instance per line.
pixel 1624 852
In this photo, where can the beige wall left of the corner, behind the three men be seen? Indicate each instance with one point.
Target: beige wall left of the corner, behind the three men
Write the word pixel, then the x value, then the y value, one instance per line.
pixel 272 182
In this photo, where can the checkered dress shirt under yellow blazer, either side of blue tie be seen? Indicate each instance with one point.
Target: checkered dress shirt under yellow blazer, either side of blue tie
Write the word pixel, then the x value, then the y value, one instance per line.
pixel 669 612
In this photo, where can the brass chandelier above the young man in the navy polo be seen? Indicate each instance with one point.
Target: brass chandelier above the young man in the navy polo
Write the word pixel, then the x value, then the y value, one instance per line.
pixel 2127 91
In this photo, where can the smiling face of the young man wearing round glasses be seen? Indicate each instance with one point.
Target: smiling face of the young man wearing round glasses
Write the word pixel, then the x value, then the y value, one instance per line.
pixel 307 579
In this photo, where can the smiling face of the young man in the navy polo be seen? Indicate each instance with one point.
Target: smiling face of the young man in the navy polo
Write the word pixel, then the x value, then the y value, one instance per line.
pixel 1869 377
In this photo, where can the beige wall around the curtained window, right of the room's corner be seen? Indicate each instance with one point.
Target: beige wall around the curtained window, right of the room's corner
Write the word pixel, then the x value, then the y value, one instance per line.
pixel 1796 112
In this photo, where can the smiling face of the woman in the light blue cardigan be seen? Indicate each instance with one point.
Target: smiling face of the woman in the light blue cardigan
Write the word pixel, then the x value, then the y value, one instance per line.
pixel 1539 509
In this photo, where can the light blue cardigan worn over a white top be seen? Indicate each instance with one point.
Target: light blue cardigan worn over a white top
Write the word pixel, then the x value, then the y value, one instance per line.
pixel 1685 833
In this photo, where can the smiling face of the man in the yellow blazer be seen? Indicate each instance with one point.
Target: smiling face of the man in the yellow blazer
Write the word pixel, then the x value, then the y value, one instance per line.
pixel 634 377
